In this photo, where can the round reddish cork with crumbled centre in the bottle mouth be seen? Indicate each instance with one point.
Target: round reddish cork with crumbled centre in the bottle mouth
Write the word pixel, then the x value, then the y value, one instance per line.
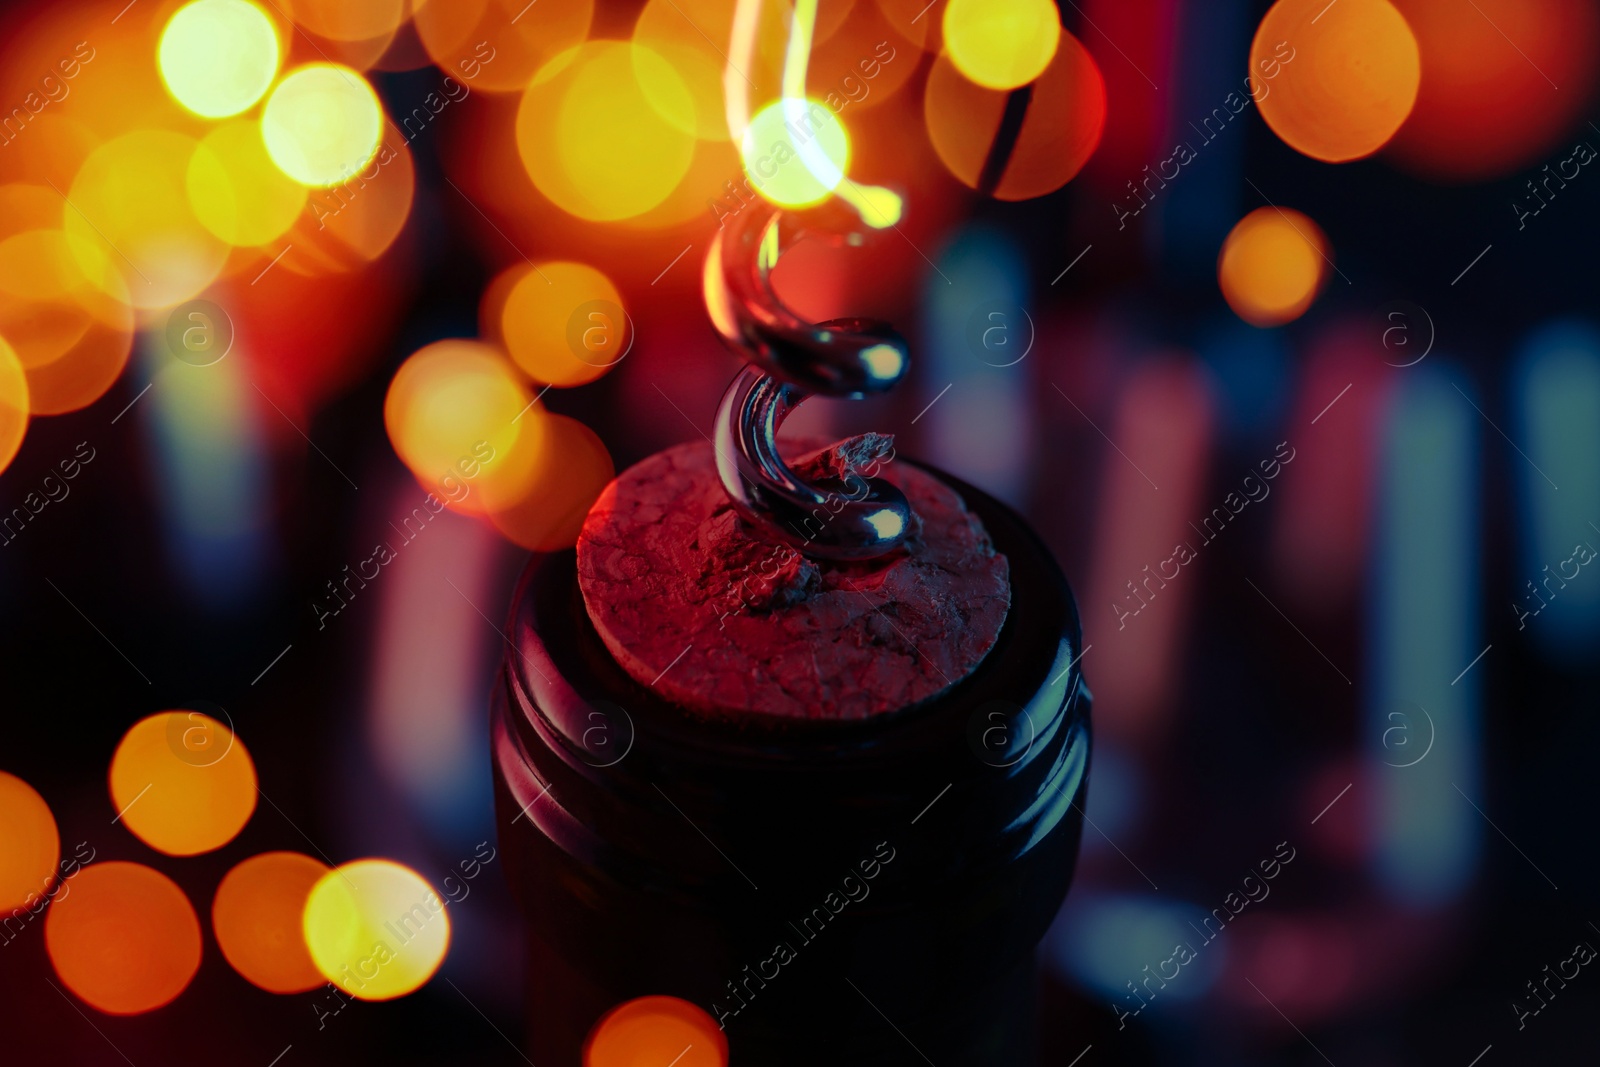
pixel 726 623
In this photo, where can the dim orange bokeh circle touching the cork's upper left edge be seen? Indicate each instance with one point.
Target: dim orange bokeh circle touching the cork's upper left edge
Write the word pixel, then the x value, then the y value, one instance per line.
pixel 570 471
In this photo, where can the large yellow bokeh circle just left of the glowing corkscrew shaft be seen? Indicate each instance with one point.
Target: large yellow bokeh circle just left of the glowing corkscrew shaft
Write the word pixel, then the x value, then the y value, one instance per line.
pixel 594 137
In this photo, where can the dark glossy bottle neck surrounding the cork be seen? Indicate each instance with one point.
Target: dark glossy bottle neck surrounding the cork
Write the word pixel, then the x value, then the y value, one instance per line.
pixel 834 893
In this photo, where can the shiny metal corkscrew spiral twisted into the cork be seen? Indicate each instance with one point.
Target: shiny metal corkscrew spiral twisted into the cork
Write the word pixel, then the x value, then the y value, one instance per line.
pixel 791 361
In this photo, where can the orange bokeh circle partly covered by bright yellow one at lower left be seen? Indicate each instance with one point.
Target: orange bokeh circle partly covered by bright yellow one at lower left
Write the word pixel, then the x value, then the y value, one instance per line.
pixel 258 917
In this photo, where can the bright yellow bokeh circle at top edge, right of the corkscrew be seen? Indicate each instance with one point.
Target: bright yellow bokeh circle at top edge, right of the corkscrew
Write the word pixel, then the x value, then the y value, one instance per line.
pixel 1002 44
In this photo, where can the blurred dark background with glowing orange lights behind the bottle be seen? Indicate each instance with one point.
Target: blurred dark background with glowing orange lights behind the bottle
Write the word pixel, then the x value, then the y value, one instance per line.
pixel 1276 321
